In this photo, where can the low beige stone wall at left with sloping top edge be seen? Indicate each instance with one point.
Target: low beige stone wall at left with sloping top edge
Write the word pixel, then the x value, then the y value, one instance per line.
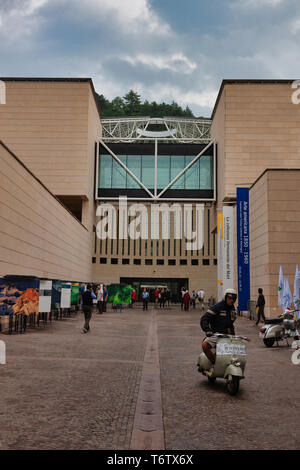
pixel 38 235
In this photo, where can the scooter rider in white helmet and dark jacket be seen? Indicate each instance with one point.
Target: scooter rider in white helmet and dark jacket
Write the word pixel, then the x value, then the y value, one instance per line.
pixel 218 319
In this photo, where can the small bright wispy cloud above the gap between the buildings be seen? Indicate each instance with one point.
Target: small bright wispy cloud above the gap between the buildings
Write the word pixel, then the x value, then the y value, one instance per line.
pixel 176 62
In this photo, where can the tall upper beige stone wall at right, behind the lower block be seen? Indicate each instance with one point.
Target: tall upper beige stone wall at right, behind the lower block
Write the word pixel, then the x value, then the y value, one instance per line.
pixel 259 127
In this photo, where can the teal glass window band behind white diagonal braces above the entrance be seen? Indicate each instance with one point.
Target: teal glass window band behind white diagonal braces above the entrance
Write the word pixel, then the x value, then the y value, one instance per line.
pixel 113 176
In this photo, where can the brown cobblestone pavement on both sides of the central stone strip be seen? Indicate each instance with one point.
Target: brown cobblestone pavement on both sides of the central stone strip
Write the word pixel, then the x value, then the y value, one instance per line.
pixel 61 389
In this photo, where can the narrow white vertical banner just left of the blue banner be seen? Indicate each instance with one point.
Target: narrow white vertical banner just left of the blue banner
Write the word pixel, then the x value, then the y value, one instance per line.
pixel 227 247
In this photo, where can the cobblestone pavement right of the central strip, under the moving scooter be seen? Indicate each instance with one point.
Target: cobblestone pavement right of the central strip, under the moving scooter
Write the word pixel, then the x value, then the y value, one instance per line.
pixel 265 414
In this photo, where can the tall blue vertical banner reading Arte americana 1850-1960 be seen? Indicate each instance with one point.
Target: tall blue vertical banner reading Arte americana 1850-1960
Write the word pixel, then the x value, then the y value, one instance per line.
pixel 243 247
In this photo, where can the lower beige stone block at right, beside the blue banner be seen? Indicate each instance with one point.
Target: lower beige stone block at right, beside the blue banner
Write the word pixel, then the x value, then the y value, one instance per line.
pixel 274 233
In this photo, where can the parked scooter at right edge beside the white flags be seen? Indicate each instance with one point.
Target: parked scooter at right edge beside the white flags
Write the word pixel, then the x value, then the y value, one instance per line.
pixel 279 328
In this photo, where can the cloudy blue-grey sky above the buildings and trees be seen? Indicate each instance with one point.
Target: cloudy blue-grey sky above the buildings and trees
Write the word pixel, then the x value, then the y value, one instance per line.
pixel 164 49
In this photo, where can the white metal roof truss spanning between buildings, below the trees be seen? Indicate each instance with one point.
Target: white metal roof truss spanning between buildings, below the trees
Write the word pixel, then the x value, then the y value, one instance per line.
pixel 181 130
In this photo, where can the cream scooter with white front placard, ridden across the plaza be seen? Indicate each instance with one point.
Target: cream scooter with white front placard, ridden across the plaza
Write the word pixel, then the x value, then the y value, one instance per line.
pixel 230 361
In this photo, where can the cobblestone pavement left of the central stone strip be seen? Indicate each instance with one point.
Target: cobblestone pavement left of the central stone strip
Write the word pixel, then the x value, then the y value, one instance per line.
pixel 62 389
